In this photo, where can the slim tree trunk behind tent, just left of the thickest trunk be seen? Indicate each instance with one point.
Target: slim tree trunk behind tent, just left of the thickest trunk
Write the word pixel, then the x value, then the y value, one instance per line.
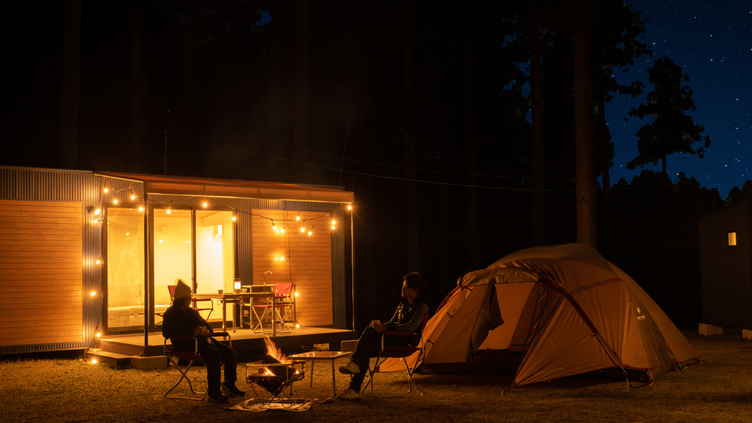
pixel 539 195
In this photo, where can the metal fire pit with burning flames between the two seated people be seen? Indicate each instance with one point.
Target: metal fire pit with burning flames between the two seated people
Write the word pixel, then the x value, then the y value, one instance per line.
pixel 275 377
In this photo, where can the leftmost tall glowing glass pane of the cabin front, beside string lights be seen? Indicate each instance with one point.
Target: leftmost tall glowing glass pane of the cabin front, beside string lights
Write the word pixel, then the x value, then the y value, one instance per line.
pixel 125 268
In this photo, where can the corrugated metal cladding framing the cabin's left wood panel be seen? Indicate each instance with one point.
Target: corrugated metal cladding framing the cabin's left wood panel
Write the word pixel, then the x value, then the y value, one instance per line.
pixel 63 185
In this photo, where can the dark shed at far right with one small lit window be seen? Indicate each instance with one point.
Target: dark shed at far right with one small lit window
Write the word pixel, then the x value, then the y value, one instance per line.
pixel 725 257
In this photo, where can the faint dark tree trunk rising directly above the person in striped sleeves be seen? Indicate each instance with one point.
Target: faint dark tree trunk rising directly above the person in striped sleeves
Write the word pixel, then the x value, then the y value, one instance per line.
pixel 411 191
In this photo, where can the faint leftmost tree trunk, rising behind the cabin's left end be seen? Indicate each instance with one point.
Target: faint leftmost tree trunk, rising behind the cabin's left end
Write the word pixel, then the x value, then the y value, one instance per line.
pixel 71 81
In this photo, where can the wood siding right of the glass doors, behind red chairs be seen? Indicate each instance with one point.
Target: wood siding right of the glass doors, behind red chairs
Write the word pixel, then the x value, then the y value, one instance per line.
pixel 307 263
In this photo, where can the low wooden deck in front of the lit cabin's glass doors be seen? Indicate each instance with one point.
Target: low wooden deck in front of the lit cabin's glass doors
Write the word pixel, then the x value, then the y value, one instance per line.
pixel 242 340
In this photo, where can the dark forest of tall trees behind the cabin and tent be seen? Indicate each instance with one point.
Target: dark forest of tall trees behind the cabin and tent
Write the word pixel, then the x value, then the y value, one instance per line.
pixel 423 109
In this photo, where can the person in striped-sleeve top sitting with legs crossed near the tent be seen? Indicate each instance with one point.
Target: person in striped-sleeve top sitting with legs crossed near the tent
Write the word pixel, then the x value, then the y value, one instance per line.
pixel 408 317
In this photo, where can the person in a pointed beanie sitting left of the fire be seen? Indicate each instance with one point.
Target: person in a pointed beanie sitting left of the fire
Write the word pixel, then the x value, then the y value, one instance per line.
pixel 183 320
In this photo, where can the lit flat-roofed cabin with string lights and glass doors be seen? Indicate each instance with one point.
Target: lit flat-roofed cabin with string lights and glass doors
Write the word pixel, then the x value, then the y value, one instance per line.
pixel 87 257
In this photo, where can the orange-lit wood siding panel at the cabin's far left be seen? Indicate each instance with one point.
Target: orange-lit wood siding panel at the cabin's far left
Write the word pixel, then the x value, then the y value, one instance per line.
pixel 41 274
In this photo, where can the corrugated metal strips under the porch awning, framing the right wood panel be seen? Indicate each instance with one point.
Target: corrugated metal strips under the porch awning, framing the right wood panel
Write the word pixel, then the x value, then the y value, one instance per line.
pixel 245 240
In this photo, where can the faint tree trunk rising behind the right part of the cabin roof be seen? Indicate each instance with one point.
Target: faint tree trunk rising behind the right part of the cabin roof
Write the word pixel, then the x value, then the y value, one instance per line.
pixel 302 111
